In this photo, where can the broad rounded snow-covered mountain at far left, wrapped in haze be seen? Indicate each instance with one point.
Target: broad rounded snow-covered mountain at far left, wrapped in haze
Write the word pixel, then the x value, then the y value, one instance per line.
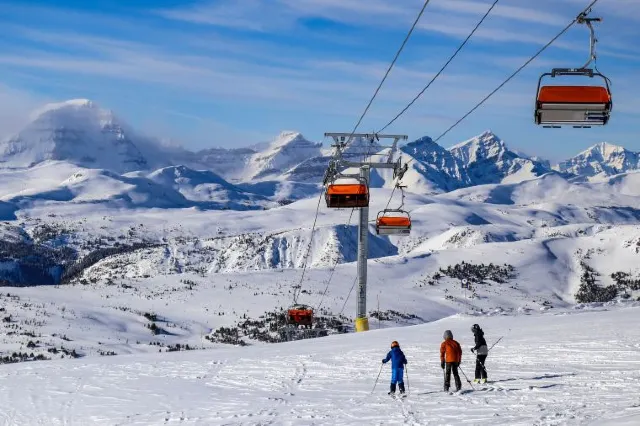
pixel 77 131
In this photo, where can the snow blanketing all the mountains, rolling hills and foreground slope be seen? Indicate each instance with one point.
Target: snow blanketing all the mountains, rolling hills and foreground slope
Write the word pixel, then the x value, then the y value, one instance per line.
pixel 174 244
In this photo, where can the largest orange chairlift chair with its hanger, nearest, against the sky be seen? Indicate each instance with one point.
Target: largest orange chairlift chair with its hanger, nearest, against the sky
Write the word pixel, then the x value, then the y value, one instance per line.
pixel 580 106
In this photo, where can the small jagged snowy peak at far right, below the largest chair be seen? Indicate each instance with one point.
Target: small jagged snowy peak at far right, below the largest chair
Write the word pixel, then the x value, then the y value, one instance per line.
pixel 603 159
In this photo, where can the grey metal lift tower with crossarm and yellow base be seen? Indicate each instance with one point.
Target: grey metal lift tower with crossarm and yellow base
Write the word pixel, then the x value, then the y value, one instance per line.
pixel 343 161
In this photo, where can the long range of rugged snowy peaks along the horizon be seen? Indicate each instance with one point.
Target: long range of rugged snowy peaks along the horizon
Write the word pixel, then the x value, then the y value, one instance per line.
pixel 80 132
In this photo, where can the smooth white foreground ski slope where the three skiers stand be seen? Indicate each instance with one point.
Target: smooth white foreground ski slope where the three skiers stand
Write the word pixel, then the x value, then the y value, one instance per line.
pixel 579 366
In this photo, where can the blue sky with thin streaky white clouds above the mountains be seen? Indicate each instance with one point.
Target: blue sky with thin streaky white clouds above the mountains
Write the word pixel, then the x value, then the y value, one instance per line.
pixel 237 72
